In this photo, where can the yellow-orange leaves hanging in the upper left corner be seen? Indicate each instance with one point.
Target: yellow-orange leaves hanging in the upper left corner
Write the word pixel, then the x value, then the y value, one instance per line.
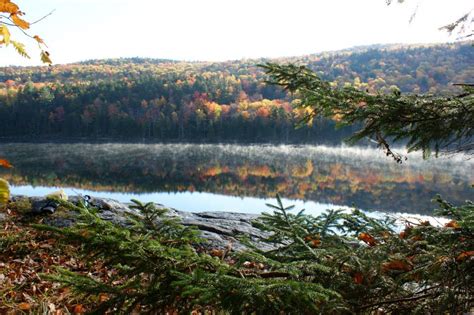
pixel 12 16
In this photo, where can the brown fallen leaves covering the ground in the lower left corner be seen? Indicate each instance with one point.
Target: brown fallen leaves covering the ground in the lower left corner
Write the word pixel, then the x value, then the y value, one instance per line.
pixel 27 257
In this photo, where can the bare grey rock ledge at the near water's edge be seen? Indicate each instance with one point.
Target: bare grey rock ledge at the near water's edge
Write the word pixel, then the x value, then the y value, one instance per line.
pixel 219 229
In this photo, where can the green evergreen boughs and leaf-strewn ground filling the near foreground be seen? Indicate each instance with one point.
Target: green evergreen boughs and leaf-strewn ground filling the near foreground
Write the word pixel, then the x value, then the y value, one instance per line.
pixel 334 263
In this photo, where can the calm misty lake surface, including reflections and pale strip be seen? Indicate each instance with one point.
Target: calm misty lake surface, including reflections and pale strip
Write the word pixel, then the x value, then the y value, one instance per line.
pixel 239 178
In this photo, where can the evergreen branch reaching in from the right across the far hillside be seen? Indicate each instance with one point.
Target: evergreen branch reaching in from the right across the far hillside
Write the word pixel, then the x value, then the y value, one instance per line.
pixel 424 122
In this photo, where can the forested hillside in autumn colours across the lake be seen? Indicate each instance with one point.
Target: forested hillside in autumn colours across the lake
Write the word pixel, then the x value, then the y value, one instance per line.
pixel 165 100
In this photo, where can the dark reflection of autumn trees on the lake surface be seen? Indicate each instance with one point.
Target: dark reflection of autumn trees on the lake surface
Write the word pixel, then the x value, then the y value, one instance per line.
pixel 237 170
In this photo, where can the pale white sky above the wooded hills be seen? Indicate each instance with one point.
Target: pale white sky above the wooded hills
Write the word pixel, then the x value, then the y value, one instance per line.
pixel 217 30
